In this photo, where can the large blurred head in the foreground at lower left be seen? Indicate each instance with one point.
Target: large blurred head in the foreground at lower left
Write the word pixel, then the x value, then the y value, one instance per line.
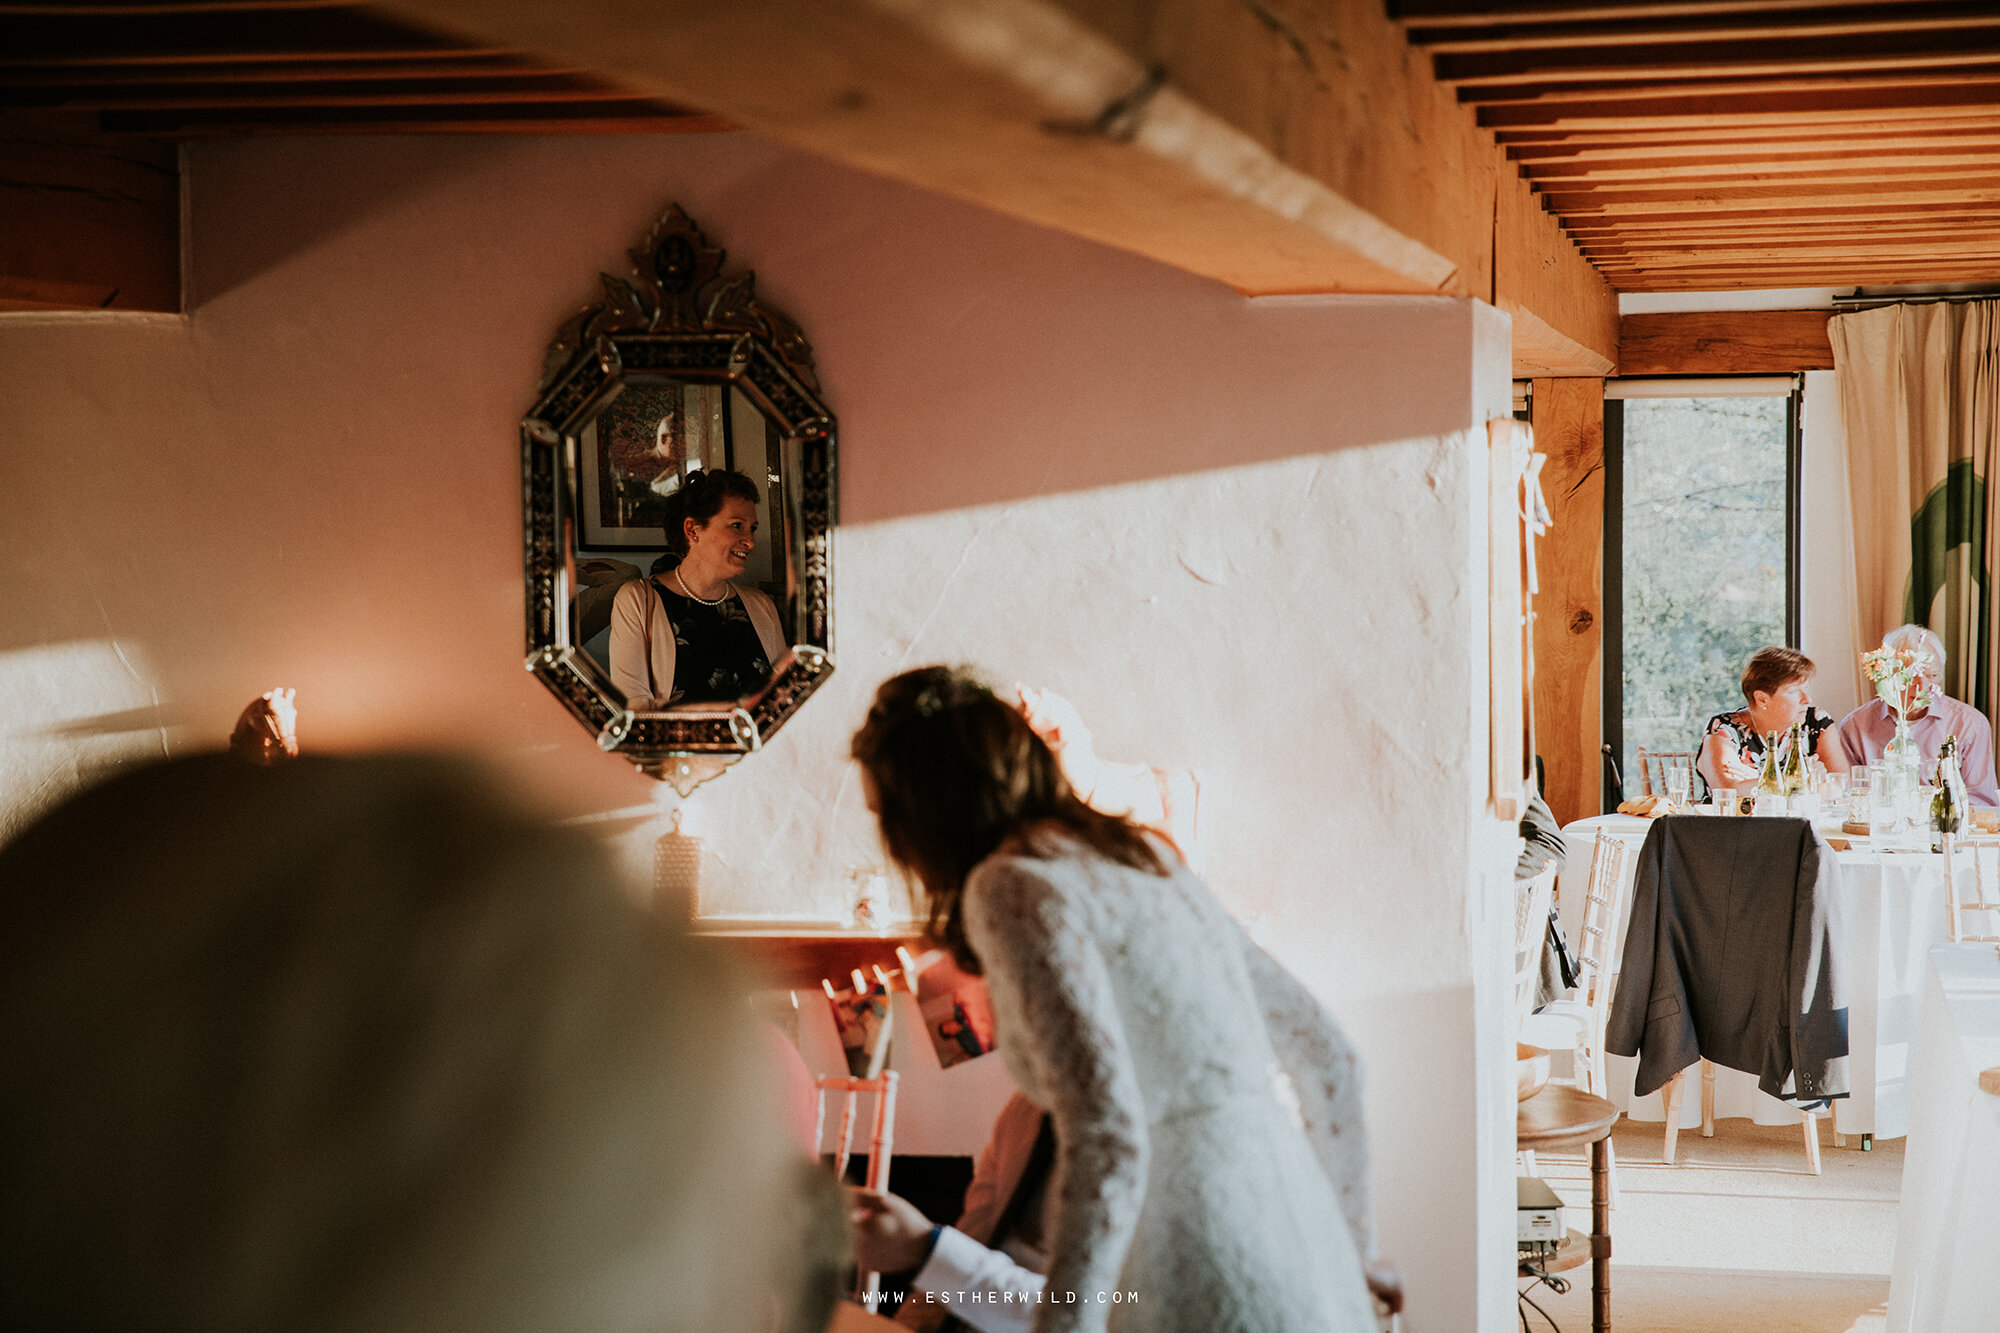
pixel 357 1046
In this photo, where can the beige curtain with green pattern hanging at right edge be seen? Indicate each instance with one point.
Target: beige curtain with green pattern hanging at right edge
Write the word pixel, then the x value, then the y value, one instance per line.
pixel 1921 405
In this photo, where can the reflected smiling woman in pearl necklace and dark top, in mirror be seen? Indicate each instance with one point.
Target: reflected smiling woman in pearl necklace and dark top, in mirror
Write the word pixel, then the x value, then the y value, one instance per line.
pixel 693 633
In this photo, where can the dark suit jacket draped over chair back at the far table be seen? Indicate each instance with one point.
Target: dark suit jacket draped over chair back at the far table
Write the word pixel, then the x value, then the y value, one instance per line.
pixel 1729 958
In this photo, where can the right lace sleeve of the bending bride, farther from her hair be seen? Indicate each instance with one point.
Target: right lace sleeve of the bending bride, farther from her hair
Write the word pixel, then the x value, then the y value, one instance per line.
pixel 1327 1080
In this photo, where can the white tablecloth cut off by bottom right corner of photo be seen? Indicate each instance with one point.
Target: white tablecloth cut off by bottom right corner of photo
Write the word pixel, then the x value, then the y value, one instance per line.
pixel 1947 1278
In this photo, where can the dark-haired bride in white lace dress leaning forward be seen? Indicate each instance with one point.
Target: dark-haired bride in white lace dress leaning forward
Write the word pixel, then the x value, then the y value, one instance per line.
pixel 1211 1168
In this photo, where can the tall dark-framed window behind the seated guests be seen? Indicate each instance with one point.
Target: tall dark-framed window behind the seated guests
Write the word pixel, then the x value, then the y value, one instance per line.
pixel 1701 539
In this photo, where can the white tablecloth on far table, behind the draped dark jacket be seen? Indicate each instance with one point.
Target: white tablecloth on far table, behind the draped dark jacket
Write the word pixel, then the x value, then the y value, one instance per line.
pixel 1887 914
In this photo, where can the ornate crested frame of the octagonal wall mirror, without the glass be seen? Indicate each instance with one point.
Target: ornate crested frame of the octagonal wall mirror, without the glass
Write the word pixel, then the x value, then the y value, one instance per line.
pixel 681 321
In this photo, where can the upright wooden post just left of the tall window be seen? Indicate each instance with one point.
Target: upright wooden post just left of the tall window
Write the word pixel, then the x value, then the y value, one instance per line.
pixel 1569 613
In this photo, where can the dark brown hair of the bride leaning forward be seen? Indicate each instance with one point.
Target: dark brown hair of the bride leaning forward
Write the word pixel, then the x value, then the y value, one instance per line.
pixel 957 772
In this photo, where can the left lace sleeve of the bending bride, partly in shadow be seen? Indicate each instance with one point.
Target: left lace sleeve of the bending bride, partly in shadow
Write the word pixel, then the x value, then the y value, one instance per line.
pixel 1059 1016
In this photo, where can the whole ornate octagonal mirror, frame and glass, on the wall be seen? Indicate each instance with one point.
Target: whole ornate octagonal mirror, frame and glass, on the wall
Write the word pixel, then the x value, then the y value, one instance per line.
pixel 679 371
